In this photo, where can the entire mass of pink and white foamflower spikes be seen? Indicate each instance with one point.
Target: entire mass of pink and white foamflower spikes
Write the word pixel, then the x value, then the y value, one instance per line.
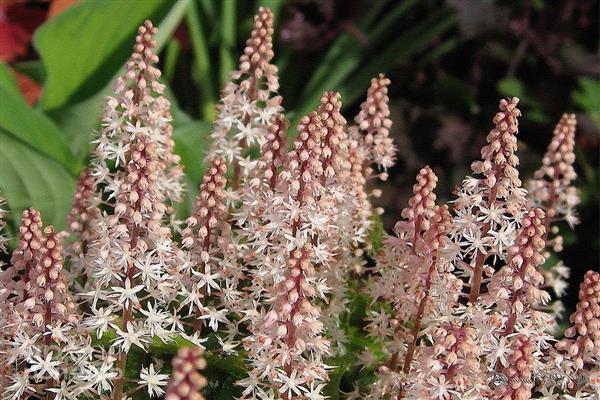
pixel 267 258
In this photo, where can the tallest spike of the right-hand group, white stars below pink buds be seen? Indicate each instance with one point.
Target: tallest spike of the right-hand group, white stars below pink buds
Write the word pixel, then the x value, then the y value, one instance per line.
pixel 488 209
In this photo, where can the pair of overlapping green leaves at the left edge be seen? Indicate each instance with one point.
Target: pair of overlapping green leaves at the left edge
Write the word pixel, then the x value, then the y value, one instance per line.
pixel 37 168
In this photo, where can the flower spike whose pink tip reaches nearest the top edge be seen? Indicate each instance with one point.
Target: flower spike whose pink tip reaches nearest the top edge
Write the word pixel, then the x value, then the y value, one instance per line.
pixel 249 102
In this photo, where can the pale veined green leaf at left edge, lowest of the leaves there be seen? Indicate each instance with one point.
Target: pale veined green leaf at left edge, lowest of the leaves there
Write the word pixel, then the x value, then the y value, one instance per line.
pixel 29 178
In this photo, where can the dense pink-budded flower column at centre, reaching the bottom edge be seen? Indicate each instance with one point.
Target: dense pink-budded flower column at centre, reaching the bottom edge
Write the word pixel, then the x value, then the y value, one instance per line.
pixel 287 346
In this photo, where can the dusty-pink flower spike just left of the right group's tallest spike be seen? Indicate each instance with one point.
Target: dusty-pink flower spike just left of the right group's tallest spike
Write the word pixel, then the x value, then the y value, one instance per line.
pixel 408 271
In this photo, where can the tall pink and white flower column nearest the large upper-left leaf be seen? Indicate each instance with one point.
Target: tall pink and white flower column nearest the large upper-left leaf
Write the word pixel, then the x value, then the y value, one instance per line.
pixel 135 265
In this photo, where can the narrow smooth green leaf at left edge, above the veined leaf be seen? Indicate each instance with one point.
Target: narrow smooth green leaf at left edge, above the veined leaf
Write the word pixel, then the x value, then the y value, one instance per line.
pixel 34 129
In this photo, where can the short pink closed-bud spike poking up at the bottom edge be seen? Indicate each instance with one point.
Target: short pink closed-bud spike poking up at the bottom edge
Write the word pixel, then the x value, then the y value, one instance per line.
pixel 186 382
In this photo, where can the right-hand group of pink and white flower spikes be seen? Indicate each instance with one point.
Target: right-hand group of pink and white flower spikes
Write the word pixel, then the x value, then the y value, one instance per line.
pixel 442 343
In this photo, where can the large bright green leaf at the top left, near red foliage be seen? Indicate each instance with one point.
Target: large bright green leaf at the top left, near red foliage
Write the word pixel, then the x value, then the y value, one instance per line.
pixel 84 47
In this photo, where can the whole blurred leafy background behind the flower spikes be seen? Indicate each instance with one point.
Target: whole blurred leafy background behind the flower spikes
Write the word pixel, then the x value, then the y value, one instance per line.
pixel 449 62
